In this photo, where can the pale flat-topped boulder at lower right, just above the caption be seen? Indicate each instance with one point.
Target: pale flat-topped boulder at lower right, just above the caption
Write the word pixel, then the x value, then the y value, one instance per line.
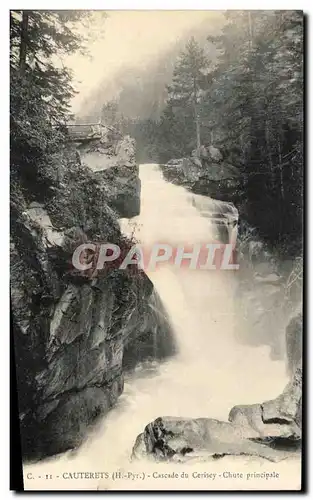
pixel 271 430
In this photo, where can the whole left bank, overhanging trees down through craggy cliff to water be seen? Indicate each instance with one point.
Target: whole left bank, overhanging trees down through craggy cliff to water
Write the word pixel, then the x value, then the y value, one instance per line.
pixel 70 327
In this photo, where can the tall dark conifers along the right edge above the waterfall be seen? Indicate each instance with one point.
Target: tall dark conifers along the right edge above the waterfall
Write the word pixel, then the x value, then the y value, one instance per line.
pixel 254 103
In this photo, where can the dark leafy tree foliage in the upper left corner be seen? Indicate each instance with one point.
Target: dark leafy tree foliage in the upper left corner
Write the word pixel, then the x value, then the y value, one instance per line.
pixel 41 90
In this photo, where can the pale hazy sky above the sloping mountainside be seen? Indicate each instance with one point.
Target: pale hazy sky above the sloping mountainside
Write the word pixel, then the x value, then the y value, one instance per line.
pixel 129 38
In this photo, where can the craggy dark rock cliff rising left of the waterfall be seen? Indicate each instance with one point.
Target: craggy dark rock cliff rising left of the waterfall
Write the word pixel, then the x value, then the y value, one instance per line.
pixel 72 328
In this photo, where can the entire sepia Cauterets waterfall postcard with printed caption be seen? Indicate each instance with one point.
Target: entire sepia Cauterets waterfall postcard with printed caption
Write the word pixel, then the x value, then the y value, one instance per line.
pixel 156 249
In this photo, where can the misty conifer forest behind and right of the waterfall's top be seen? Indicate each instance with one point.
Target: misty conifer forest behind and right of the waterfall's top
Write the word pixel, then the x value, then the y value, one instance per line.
pixel 242 93
